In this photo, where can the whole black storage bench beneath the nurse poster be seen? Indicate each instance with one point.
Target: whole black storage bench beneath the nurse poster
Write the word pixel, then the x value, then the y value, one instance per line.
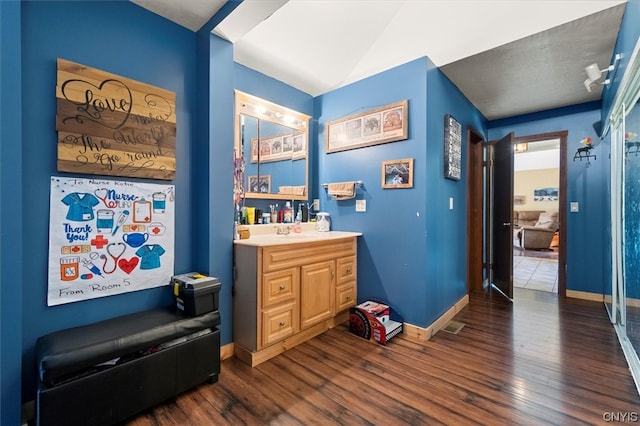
pixel 103 373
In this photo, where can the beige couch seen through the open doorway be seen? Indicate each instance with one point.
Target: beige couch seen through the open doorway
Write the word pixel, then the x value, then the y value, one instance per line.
pixel 538 234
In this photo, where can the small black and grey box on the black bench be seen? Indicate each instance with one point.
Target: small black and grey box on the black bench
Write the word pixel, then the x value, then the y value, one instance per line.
pixel 196 293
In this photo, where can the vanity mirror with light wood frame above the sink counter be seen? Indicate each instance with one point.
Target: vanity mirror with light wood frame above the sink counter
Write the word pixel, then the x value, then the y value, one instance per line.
pixel 274 143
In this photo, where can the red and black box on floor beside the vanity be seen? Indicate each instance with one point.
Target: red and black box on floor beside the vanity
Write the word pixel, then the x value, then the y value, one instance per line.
pixel 375 321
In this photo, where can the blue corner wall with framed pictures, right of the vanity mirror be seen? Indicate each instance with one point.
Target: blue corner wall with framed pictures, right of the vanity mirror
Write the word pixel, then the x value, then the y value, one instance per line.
pixel 412 252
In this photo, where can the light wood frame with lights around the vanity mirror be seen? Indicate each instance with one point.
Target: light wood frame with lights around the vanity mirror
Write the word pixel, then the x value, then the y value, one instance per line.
pixel 251 105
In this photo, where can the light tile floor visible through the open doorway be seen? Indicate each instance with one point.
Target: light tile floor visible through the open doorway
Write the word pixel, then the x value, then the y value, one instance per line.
pixel 535 274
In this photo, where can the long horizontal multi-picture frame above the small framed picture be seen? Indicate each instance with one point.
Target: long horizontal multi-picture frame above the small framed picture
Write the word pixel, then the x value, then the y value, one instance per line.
pixel 376 126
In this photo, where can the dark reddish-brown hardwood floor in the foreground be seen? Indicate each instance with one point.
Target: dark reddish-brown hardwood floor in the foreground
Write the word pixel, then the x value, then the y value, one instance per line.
pixel 538 361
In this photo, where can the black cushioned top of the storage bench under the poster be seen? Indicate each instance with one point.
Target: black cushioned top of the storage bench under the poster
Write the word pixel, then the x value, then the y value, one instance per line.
pixel 75 349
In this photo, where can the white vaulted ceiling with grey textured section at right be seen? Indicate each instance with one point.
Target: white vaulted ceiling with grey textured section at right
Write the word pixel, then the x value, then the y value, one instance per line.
pixel 508 57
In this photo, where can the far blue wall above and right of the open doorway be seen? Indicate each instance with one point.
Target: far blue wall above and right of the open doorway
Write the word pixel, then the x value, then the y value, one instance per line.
pixel 588 233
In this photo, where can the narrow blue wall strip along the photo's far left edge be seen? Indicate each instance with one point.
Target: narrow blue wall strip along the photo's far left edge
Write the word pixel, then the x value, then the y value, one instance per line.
pixel 10 213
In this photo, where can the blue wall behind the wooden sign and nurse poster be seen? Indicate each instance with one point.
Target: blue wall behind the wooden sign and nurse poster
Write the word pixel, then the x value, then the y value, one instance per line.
pixel 124 39
